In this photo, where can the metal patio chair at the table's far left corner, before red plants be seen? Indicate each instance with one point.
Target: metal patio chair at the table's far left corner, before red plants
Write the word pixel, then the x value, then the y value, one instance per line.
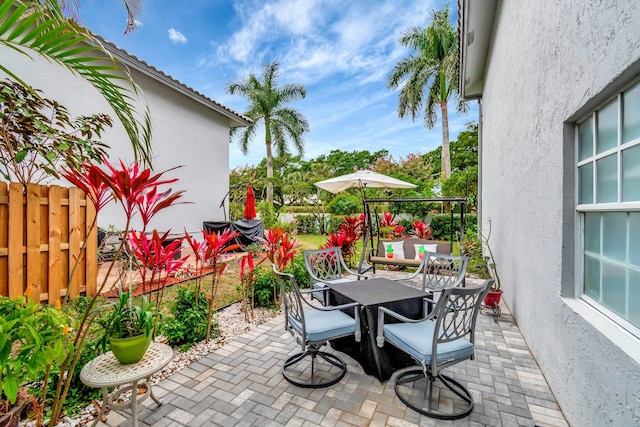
pixel 327 266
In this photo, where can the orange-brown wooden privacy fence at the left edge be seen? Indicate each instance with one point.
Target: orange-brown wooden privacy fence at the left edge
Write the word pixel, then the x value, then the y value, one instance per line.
pixel 43 230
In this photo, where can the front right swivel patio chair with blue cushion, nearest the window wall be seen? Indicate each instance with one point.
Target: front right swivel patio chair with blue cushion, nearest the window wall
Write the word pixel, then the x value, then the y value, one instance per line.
pixel 443 338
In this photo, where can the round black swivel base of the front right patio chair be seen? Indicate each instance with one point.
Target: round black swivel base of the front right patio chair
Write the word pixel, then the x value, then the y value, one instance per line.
pixel 443 397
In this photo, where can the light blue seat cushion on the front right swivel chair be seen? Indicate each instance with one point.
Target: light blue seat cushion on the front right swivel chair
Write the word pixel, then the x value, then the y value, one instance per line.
pixel 417 340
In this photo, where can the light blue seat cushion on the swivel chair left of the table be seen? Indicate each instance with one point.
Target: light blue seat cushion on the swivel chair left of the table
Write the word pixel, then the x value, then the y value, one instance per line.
pixel 325 325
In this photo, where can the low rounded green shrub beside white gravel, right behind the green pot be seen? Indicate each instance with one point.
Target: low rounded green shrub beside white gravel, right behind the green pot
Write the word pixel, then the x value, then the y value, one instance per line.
pixel 188 323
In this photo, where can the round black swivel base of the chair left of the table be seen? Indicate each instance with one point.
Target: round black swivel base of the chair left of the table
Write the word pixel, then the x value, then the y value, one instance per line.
pixel 315 378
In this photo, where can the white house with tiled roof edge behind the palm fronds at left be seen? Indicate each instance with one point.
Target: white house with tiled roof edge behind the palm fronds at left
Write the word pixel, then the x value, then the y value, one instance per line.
pixel 188 130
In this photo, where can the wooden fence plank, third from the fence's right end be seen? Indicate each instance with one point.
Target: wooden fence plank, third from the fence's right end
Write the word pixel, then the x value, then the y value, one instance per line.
pixel 56 279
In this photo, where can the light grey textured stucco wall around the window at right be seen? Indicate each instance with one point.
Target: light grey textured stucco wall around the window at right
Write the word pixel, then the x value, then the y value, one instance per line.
pixel 550 62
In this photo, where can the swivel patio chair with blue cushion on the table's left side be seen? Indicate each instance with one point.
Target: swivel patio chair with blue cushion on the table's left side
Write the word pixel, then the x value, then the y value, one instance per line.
pixel 312 328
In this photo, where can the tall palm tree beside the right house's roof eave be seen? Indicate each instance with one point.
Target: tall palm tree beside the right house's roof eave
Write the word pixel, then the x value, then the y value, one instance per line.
pixel 429 78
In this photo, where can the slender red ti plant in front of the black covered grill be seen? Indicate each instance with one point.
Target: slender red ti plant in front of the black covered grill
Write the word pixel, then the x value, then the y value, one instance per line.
pixel 215 247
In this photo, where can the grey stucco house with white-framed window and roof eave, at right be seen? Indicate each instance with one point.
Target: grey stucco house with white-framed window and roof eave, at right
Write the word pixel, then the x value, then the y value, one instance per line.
pixel 559 89
